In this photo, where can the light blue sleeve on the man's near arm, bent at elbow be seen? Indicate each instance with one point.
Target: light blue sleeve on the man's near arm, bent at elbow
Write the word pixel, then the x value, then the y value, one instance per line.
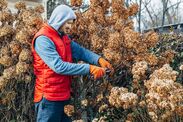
pixel 46 49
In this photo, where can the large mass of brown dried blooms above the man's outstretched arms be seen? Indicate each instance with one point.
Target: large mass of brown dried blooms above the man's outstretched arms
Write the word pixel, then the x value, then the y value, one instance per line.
pixel 106 28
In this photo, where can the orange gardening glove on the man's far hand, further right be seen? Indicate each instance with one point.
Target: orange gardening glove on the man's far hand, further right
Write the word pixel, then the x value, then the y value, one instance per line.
pixel 105 64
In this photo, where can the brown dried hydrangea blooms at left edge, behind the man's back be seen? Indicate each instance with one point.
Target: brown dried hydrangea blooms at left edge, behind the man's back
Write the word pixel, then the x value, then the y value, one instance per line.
pixel 16 33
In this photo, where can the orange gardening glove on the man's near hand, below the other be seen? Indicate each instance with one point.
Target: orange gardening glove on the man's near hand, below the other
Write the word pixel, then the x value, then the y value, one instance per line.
pixel 97 72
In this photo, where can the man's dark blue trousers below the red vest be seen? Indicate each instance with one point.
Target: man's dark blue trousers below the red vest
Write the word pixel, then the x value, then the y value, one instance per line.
pixel 51 111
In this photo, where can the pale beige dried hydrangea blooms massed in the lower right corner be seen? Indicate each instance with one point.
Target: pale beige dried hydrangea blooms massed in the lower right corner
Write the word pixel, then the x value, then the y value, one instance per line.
pixel 164 94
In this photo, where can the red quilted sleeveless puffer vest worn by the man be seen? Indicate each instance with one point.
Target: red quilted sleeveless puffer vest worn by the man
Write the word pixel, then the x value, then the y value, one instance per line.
pixel 52 86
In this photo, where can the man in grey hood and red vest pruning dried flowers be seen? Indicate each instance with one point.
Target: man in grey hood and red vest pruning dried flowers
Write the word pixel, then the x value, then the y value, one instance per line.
pixel 53 53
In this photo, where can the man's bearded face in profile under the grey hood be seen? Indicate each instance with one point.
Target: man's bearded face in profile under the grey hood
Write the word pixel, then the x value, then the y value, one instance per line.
pixel 67 26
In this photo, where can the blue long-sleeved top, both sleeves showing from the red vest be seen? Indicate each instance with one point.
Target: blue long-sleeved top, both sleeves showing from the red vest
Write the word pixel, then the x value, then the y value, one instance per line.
pixel 46 49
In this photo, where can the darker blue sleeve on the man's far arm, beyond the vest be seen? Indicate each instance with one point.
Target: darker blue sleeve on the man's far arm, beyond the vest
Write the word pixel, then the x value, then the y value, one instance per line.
pixel 81 53
